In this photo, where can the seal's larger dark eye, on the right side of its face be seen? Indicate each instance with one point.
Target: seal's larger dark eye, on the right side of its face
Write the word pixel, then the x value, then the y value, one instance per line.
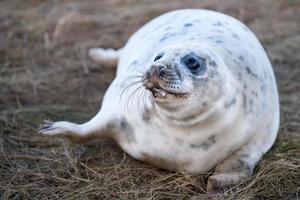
pixel 194 63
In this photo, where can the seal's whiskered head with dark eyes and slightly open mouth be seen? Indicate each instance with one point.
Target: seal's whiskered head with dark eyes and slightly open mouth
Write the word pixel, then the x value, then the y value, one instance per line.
pixel 191 75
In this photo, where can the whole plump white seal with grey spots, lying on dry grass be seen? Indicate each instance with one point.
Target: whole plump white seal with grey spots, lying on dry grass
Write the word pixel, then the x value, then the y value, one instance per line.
pixel 194 90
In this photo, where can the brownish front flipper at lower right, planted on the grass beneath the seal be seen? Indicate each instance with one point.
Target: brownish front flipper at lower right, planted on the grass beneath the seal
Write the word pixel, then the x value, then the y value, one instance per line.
pixel 233 170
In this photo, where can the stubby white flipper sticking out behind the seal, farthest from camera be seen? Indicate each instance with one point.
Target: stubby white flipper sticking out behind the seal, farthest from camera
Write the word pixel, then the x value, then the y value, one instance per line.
pixel 107 57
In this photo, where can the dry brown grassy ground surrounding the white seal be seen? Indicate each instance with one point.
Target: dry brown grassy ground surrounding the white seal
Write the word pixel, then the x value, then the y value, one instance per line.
pixel 45 74
